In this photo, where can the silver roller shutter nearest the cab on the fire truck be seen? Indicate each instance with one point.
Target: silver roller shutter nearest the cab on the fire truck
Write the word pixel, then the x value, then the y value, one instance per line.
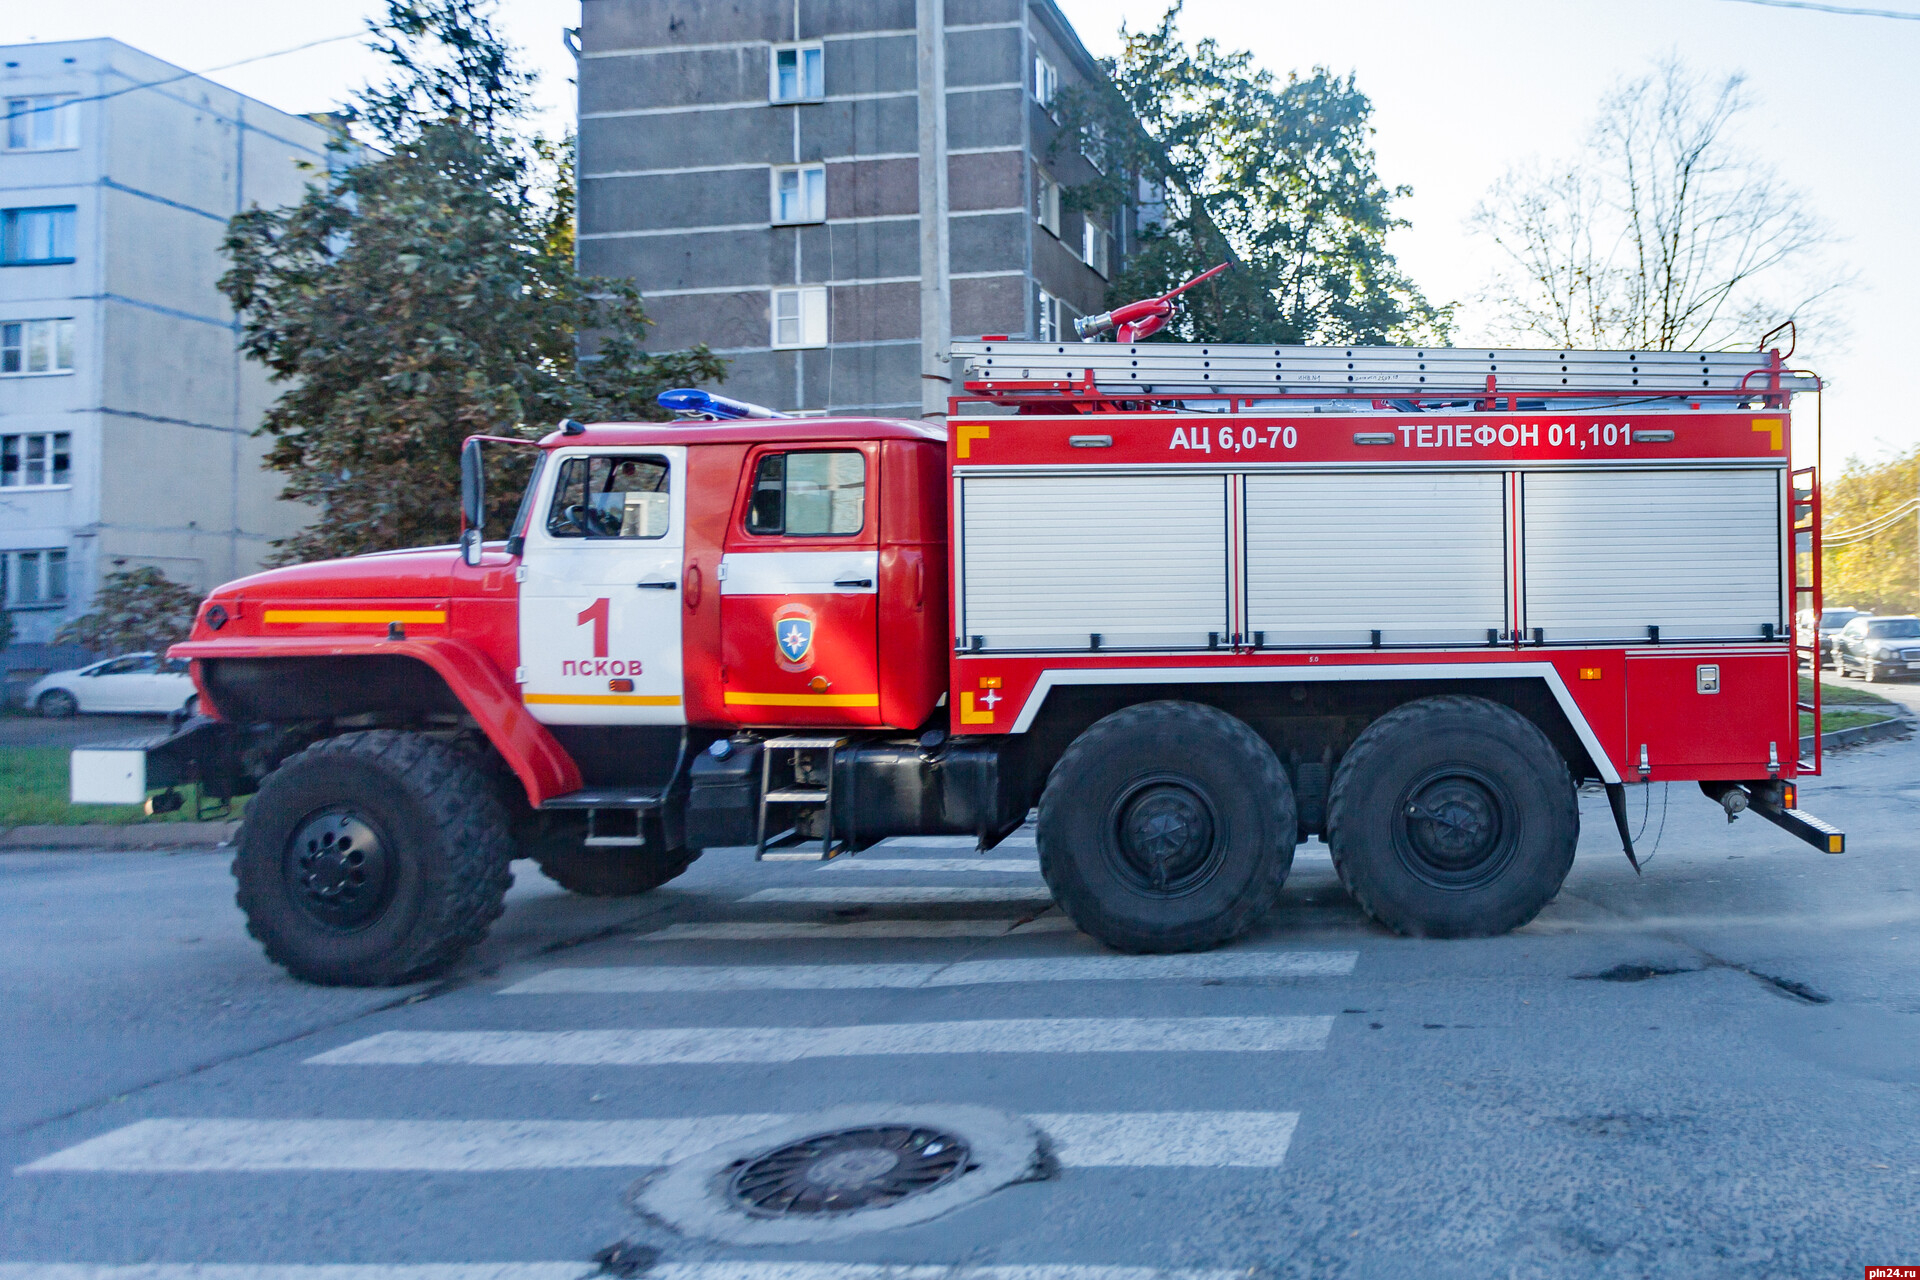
pixel 1053 561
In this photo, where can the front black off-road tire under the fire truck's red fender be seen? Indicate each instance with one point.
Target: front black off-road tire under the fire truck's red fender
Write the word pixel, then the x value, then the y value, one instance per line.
pixel 373 859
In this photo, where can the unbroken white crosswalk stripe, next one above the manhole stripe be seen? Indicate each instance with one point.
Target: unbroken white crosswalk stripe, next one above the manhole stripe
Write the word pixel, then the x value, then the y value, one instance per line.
pixel 660 1047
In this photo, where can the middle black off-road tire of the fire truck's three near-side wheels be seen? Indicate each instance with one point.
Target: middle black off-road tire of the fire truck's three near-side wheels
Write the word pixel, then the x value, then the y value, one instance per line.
pixel 1166 828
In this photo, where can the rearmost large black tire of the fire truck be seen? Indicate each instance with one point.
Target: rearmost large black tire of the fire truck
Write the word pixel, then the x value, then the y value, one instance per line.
pixel 1452 818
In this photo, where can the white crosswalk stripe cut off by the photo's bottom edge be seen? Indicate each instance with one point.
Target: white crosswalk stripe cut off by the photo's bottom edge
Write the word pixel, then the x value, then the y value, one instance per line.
pixel 585 1271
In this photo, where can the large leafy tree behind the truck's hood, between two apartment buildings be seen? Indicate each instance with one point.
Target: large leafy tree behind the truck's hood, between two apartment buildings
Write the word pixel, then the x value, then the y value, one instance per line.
pixel 425 291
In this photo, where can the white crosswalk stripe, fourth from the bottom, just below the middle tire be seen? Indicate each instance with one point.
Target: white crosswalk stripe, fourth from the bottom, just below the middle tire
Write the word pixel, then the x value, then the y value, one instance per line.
pixel 625 980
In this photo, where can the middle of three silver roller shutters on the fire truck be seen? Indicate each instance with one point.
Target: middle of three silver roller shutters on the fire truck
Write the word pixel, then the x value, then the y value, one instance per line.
pixel 1420 559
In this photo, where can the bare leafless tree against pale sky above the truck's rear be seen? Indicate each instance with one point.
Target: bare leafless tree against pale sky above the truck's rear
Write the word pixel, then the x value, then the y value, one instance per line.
pixel 1660 235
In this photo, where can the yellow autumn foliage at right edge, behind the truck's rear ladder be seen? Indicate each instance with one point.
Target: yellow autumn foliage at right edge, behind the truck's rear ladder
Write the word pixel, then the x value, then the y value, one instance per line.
pixel 1879 573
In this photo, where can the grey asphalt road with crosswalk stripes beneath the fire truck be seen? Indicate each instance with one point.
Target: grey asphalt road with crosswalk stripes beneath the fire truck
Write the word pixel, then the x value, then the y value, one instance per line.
pixel 1712 1070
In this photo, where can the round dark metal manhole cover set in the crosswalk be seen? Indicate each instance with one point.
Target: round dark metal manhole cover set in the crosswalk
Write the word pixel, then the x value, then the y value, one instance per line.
pixel 848 1172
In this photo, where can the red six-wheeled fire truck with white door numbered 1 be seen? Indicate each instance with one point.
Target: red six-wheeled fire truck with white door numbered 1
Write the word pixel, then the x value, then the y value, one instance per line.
pixel 1195 604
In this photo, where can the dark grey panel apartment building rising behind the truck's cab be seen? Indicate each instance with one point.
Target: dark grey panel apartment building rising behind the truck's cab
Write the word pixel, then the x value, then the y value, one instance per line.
pixel 761 172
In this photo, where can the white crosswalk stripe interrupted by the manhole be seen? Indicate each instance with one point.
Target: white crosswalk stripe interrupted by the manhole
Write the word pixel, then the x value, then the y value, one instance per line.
pixel 1080 1141
